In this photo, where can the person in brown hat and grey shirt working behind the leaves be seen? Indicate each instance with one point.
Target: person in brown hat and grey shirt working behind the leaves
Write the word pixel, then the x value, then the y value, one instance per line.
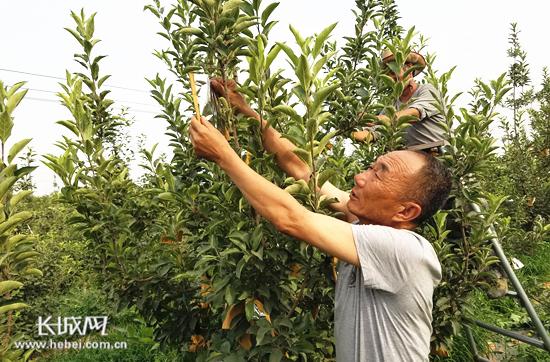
pixel 424 133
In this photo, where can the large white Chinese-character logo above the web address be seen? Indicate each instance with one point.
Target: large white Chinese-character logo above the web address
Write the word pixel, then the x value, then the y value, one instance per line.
pixel 47 326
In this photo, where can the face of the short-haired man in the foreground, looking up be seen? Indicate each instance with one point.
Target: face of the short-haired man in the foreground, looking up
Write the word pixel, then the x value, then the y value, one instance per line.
pixel 379 192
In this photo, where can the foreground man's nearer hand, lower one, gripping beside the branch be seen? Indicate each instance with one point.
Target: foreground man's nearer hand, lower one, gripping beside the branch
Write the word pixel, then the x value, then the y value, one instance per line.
pixel 207 140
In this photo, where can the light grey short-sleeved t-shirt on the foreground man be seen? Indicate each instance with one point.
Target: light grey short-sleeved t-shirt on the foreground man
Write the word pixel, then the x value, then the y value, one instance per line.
pixel 383 309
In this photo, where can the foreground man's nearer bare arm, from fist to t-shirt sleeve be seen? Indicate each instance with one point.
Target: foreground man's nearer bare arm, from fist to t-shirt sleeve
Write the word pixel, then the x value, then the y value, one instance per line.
pixel 329 234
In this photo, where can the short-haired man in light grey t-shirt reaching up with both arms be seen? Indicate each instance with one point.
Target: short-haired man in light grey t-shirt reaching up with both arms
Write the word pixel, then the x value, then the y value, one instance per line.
pixel 387 272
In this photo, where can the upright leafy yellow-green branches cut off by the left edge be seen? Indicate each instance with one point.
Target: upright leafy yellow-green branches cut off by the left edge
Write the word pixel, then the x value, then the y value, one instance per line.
pixel 17 253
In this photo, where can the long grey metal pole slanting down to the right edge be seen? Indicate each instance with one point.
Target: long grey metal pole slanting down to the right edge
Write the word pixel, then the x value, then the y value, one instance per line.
pixel 539 327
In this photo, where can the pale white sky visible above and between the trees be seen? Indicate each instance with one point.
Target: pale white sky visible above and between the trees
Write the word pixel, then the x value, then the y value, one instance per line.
pixel 34 47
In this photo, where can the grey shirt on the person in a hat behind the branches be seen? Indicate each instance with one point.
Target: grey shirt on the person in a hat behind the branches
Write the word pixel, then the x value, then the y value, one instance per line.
pixel 427 132
